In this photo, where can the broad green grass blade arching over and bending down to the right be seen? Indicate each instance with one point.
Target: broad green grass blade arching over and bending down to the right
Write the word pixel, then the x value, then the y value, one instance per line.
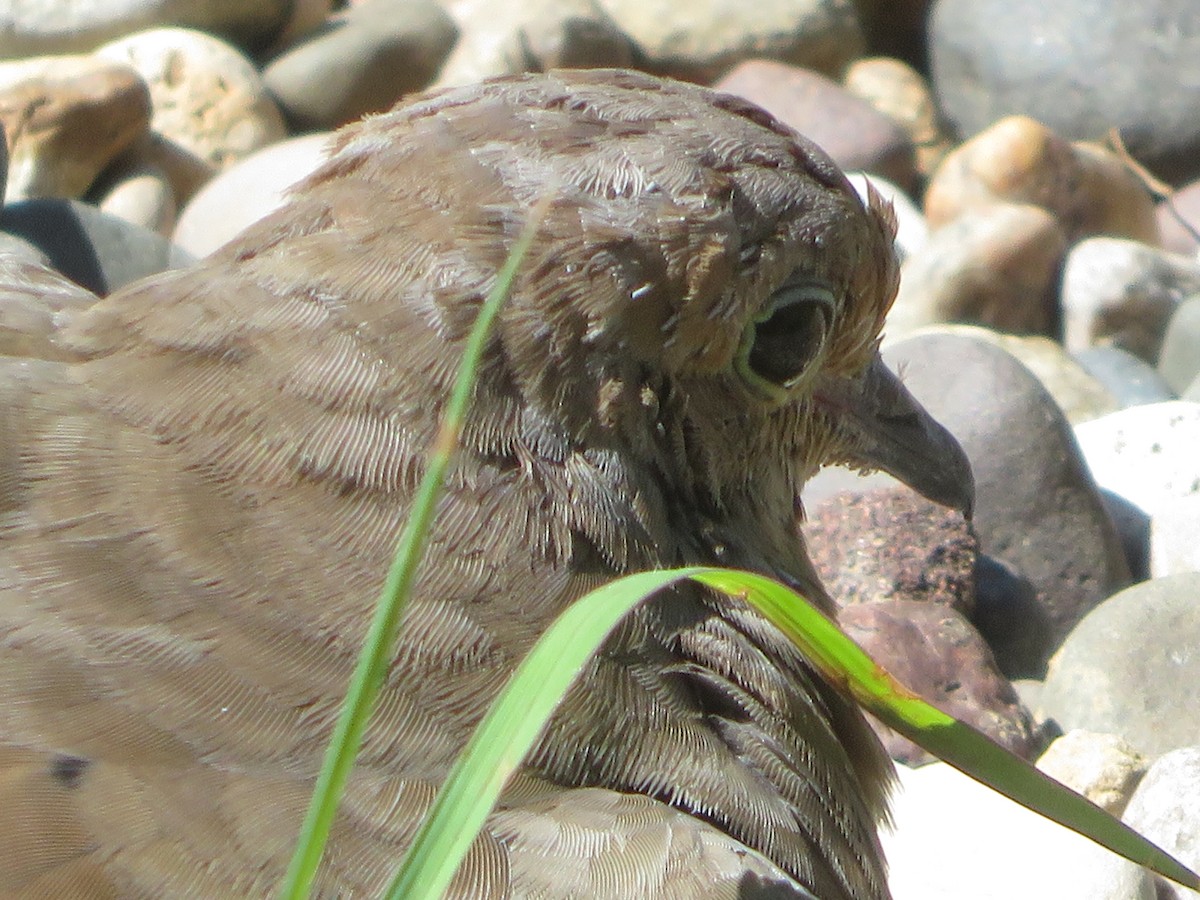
pixel 524 709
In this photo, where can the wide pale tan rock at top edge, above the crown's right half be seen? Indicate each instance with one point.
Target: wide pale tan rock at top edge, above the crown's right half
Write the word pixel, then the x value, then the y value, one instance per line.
pixel 703 41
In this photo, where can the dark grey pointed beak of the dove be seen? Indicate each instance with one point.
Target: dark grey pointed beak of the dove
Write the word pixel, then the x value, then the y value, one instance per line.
pixel 892 431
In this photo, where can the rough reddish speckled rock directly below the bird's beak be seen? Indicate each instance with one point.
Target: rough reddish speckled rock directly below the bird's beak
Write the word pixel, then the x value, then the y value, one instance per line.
pixel 892 545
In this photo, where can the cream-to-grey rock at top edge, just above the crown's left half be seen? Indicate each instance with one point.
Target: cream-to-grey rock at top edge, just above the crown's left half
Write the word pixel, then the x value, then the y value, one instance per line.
pixel 508 37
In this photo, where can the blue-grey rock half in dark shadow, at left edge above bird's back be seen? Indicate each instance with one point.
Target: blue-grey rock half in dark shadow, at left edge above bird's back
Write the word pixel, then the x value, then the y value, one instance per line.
pixel 95 250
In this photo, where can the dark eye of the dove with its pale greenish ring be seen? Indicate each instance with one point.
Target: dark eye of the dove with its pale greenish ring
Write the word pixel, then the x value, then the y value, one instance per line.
pixel 779 346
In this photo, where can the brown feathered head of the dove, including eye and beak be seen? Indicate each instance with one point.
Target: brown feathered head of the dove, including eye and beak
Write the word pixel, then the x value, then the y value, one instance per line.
pixel 704 298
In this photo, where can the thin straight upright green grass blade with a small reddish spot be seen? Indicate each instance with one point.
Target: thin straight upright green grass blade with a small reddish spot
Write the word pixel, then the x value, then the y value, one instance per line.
pixel 376 656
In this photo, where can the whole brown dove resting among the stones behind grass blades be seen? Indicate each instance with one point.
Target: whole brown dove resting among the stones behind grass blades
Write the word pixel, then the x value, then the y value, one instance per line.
pixel 203 477
